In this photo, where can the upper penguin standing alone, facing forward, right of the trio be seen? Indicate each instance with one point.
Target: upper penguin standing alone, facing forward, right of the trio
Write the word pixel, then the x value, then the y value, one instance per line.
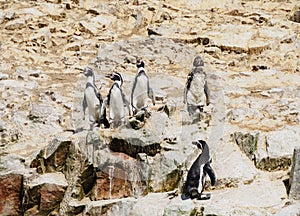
pixel 196 92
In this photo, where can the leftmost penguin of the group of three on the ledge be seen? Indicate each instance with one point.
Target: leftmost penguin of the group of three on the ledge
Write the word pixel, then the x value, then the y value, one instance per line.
pixel 92 98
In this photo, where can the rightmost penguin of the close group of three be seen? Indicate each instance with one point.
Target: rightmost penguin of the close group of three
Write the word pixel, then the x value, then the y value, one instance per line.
pixel 141 89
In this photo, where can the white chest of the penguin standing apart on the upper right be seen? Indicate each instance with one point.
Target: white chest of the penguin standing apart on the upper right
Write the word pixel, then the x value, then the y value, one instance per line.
pixel 196 95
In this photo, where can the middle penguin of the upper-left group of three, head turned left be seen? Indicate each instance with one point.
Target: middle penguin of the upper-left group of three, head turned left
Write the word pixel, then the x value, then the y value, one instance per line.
pixel 116 101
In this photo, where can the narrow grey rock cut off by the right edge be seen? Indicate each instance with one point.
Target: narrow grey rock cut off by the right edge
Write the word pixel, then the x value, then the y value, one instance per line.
pixel 294 182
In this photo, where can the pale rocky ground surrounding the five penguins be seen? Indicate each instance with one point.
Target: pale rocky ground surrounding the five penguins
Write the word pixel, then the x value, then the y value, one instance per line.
pixel 50 163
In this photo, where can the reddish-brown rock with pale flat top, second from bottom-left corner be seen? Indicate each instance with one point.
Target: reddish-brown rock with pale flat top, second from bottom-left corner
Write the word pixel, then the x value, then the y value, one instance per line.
pixel 44 193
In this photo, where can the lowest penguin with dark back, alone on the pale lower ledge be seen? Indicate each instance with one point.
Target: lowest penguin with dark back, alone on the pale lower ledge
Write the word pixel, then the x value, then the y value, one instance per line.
pixel 196 175
